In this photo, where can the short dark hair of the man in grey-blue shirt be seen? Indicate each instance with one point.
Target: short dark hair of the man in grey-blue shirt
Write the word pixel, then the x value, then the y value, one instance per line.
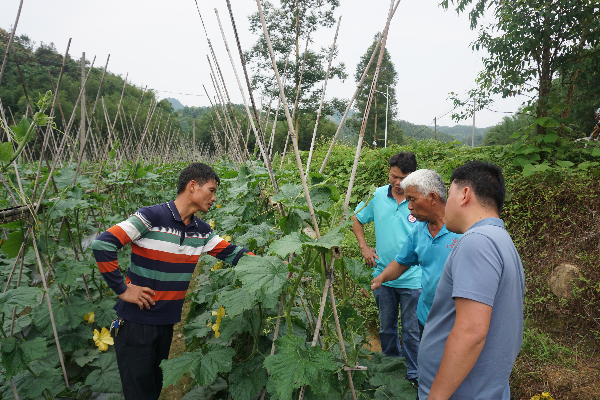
pixel 485 180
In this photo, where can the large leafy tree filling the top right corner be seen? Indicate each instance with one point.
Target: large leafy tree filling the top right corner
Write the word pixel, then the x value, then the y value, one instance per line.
pixel 532 40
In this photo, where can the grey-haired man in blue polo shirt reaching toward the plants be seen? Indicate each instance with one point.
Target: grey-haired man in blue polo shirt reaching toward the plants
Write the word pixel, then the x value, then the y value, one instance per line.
pixel 429 244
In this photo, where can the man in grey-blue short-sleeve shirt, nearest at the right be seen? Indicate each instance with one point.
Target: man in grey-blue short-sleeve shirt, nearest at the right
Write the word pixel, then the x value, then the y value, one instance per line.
pixel 475 327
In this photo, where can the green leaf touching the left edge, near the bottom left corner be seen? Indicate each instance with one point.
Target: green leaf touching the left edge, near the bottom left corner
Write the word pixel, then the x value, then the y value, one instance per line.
pixel 17 356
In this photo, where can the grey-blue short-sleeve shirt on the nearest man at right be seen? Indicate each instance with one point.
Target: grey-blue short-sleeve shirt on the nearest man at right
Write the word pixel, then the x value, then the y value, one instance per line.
pixel 485 267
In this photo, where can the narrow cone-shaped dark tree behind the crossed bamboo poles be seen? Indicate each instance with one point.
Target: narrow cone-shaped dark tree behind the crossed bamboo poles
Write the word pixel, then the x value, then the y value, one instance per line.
pixel 386 82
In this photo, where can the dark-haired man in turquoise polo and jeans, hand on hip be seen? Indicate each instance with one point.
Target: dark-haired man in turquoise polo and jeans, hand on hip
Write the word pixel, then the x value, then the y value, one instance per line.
pixel 388 210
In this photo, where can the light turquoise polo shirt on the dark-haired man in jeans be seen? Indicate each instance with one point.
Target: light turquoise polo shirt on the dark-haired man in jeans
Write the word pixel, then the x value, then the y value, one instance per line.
pixel 393 223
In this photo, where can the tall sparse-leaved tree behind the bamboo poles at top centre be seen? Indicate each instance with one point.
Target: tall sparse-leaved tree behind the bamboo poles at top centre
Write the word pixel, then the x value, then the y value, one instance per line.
pixel 288 26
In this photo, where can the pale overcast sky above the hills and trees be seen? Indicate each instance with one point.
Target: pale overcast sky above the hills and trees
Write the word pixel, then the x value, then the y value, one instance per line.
pixel 162 44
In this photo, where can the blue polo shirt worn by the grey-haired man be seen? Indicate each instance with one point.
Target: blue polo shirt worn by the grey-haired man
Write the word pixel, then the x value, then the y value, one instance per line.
pixel 429 254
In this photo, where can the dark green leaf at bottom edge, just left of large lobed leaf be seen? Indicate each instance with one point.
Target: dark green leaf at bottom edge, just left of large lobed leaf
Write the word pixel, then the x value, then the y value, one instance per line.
pixel 247 379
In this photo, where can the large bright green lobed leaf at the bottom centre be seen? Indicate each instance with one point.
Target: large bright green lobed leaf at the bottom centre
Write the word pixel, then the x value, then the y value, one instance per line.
pixel 295 364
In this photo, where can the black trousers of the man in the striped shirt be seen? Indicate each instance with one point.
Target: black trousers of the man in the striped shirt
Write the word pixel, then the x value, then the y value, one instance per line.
pixel 140 349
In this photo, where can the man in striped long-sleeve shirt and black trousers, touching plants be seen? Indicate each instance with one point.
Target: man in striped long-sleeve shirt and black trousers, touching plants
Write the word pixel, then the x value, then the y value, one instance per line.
pixel 167 241
